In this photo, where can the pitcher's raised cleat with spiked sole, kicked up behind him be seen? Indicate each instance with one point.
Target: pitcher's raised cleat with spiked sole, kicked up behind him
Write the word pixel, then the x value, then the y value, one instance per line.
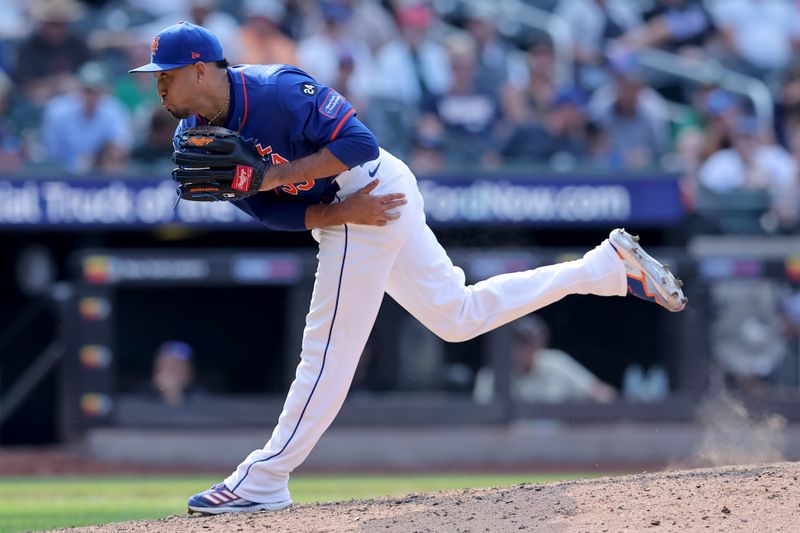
pixel 647 278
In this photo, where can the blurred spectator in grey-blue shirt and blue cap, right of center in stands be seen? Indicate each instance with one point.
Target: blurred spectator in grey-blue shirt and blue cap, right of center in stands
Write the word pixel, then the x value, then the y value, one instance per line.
pixel 633 115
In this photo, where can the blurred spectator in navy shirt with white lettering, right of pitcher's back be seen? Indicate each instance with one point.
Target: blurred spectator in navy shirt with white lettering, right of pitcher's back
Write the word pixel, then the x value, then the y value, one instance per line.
pixel 464 119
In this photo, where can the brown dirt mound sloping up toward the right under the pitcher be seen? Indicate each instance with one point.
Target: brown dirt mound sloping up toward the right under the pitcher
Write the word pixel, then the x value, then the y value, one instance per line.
pixel 749 498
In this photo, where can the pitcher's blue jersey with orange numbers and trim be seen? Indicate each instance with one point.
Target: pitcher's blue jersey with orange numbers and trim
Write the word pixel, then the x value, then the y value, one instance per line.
pixel 288 115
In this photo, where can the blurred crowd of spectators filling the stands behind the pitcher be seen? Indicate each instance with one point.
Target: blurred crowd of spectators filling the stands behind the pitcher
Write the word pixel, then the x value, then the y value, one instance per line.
pixel 446 85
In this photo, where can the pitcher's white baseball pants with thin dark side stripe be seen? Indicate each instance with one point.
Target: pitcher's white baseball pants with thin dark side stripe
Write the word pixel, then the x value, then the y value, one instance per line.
pixel 357 265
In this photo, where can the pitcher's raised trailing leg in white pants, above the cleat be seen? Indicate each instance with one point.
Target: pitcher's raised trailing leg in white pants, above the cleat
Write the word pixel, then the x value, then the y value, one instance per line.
pixel 425 282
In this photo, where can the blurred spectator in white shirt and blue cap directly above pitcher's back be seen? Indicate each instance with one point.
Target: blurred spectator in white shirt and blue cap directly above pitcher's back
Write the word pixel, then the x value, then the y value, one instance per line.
pixel 329 55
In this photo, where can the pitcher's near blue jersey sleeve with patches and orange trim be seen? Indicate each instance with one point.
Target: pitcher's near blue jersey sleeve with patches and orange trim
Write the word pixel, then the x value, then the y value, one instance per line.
pixel 325 118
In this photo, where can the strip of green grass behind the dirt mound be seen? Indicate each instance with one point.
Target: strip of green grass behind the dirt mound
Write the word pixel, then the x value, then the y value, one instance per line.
pixel 40 503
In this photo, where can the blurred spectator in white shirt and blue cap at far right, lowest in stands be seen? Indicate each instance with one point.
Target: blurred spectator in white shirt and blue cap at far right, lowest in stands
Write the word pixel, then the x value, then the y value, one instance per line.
pixel 752 162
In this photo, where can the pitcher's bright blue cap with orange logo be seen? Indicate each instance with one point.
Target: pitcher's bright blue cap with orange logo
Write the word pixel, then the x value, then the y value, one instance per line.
pixel 180 45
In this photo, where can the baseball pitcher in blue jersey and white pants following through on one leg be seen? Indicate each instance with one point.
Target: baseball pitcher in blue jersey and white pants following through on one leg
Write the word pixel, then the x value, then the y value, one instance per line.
pixel 293 154
